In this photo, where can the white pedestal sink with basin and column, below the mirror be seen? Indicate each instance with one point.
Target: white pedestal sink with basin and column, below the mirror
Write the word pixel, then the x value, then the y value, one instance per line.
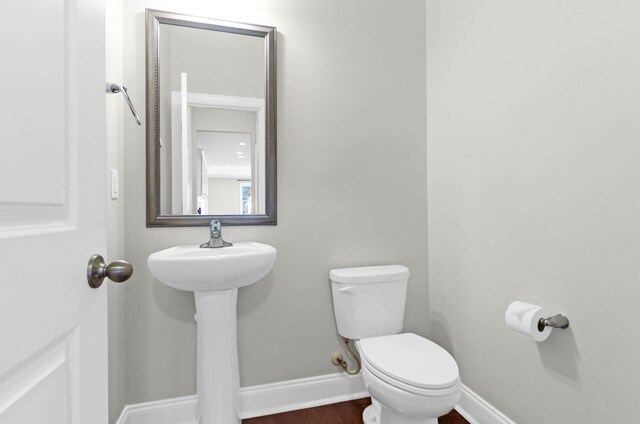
pixel 214 276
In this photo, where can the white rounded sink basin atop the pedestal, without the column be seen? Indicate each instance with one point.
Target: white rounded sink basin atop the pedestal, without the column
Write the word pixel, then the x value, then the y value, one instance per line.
pixel 192 268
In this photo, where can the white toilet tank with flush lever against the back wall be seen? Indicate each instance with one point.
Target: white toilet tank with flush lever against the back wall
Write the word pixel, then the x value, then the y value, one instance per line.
pixel 369 301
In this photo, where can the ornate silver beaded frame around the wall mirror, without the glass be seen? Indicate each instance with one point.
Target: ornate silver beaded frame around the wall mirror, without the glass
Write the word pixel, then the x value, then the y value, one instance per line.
pixel 155 218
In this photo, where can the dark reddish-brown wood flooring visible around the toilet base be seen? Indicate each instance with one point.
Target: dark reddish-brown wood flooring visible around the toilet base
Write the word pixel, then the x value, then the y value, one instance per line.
pixel 337 413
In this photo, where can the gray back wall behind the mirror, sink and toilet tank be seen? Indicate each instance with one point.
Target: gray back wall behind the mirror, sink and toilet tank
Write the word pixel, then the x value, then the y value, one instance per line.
pixel 351 190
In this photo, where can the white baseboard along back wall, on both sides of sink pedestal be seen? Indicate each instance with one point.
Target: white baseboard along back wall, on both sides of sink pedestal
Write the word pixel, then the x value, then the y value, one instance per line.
pixel 254 401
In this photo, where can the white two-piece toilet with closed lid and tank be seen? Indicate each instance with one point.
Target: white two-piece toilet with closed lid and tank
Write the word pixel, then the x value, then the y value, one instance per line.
pixel 411 380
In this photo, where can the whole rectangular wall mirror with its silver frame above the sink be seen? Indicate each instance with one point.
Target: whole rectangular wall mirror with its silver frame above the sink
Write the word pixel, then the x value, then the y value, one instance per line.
pixel 211 121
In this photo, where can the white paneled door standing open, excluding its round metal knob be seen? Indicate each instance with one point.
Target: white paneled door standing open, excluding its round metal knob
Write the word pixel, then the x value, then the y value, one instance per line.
pixel 53 345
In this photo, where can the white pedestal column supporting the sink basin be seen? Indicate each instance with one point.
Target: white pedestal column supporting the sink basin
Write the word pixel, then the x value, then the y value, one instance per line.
pixel 218 379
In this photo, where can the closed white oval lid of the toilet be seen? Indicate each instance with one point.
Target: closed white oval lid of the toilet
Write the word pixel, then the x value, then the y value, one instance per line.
pixel 411 359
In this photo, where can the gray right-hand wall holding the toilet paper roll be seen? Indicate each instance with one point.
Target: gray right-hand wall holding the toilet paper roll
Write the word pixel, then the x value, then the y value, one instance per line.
pixel 533 176
